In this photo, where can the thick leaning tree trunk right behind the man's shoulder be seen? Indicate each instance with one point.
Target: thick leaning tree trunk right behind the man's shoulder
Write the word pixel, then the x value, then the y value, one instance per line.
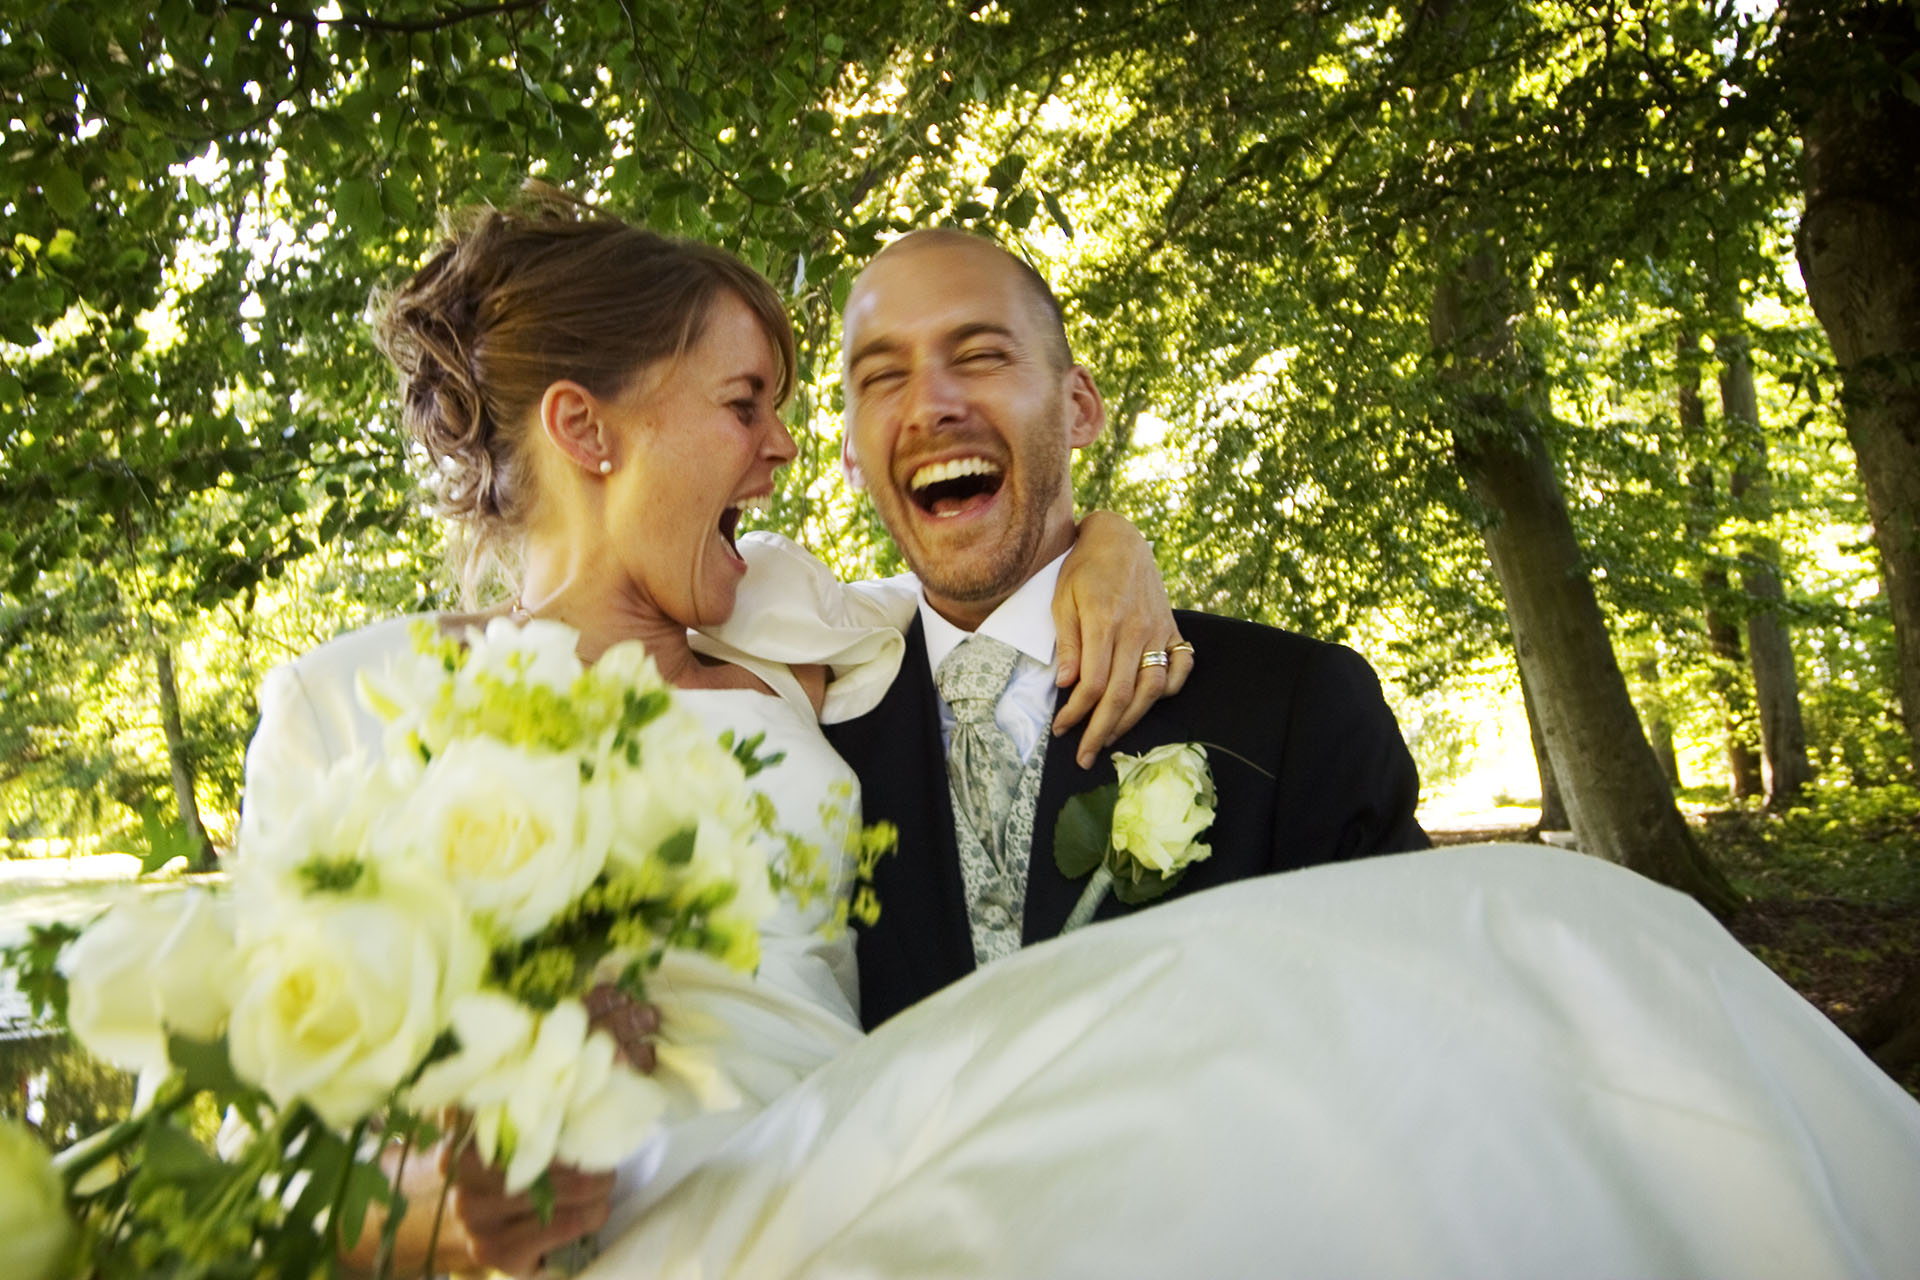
pixel 1614 788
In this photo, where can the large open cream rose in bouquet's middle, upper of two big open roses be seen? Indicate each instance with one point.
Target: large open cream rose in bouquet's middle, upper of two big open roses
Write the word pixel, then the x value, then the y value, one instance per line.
pixel 514 832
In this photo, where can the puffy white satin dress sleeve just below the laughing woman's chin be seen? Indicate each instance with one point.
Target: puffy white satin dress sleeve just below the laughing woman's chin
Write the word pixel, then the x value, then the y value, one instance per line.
pixel 794 611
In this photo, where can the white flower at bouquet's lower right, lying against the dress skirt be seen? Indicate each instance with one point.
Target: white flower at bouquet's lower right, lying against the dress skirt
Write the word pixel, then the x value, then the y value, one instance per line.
pixel 540 1089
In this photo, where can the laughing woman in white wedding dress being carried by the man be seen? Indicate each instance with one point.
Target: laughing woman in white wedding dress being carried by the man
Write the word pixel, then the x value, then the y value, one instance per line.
pixel 1474 1062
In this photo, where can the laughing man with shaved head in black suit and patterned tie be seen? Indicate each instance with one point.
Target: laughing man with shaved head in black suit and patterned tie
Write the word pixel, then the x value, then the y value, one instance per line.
pixel 963 412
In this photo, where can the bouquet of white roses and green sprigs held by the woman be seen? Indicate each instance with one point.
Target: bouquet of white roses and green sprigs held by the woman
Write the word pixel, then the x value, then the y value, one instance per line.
pixel 412 939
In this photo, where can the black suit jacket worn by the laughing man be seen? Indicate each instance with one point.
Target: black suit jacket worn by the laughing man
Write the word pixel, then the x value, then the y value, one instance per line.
pixel 1333 782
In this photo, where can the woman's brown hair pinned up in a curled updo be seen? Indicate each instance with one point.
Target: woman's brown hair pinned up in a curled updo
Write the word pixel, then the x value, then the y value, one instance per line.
pixel 517 300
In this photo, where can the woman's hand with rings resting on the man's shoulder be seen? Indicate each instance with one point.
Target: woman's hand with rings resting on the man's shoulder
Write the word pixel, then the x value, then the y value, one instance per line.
pixel 1111 609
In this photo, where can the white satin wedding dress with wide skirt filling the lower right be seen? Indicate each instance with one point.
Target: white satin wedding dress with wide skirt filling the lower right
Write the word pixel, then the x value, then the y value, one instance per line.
pixel 1476 1062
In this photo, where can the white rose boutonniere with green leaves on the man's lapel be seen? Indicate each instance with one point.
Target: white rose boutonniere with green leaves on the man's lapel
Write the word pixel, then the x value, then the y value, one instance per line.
pixel 1138 836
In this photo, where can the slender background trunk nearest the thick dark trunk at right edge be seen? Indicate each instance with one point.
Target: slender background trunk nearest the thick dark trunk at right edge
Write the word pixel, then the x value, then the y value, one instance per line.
pixel 1769 646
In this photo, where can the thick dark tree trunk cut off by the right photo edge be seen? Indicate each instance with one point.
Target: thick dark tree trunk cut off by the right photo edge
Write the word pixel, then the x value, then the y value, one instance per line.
pixel 1860 252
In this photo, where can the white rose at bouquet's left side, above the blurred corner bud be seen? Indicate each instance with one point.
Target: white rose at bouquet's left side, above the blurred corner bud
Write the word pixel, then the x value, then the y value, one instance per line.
pixel 155 964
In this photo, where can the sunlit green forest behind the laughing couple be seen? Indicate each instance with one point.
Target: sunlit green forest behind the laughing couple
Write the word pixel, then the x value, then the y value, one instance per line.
pixel 1570 350
